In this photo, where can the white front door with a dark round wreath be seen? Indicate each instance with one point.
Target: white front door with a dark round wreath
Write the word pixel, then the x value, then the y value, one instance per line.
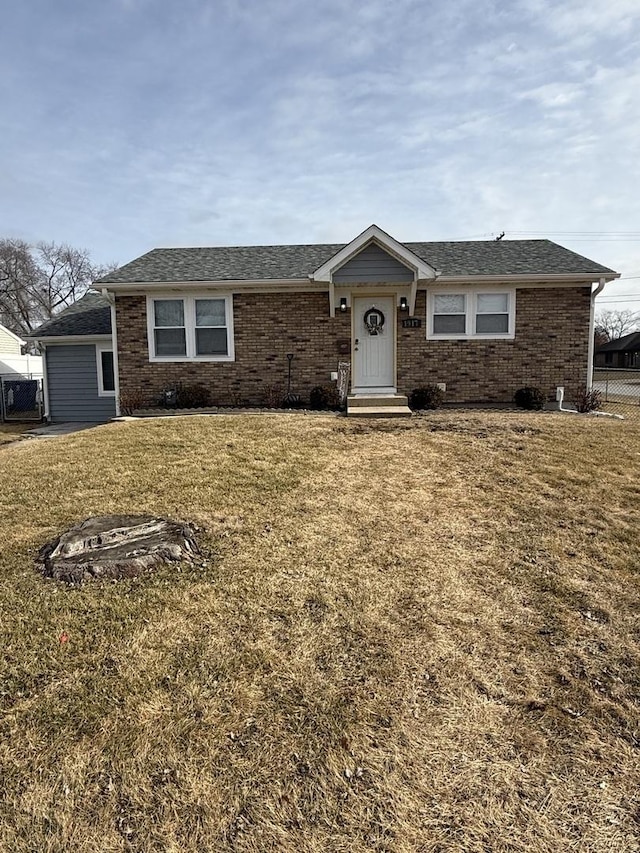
pixel 374 344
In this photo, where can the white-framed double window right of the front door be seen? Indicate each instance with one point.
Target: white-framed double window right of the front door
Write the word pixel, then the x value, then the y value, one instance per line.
pixel 468 314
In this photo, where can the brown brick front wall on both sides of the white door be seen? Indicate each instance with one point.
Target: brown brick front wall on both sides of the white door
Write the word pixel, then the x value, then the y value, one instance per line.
pixel 550 349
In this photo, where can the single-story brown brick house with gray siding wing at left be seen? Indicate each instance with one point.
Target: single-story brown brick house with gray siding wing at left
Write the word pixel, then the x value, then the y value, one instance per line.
pixel 481 318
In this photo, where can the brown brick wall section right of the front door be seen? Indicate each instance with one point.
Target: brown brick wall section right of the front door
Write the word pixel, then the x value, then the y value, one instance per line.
pixel 549 349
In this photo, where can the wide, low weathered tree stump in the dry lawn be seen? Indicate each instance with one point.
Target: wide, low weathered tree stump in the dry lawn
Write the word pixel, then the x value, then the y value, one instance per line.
pixel 116 546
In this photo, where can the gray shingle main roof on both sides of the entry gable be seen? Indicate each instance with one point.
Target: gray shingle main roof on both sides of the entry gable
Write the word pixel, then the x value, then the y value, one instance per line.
pixel 238 263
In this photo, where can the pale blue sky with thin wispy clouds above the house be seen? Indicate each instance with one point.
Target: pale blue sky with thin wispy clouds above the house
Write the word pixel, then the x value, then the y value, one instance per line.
pixel 129 124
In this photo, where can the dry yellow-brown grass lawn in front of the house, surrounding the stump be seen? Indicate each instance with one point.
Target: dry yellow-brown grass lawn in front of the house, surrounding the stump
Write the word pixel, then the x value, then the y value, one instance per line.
pixel 402 636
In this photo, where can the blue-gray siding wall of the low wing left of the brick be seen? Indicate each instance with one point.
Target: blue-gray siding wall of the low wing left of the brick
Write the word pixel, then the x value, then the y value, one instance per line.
pixel 72 384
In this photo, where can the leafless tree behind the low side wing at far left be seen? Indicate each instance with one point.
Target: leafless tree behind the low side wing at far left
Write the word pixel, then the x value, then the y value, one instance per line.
pixel 37 281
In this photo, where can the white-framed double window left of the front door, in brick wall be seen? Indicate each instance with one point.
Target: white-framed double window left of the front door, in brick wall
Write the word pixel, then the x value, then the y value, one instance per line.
pixel 190 328
